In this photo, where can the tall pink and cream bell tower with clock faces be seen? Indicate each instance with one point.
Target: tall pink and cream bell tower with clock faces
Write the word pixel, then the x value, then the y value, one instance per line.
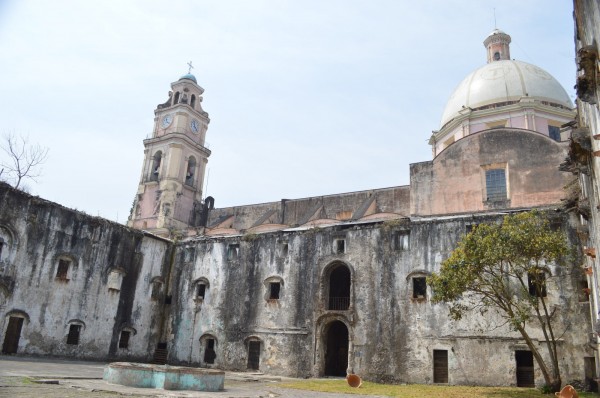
pixel 169 195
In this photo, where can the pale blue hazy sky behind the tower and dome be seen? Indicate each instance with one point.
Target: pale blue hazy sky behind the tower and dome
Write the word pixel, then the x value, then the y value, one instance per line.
pixel 306 98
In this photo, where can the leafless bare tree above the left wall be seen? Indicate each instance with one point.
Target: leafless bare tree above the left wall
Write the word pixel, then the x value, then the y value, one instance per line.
pixel 20 160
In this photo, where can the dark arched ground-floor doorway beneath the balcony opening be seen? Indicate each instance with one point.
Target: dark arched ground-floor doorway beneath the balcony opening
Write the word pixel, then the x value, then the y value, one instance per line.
pixel 336 349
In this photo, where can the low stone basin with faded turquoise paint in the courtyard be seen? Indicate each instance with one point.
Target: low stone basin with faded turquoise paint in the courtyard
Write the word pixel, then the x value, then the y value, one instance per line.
pixel 164 376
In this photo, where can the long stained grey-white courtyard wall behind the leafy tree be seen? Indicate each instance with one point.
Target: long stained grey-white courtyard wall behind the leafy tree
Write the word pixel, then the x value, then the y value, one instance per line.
pixel 392 335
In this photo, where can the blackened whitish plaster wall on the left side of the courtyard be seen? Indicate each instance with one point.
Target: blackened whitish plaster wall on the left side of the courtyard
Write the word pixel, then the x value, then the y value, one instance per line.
pixel 42 232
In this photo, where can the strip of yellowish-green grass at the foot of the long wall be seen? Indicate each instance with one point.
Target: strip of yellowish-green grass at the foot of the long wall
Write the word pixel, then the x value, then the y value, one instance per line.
pixel 418 390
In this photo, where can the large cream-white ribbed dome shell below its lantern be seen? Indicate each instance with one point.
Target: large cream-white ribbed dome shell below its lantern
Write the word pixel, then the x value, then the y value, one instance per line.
pixel 504 81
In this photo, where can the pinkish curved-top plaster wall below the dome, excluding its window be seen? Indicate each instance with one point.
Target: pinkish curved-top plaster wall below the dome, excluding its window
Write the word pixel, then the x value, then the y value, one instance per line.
pixel 454 182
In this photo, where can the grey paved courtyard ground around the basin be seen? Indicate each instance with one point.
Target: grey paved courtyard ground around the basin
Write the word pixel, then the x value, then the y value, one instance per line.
pixel 54 378
